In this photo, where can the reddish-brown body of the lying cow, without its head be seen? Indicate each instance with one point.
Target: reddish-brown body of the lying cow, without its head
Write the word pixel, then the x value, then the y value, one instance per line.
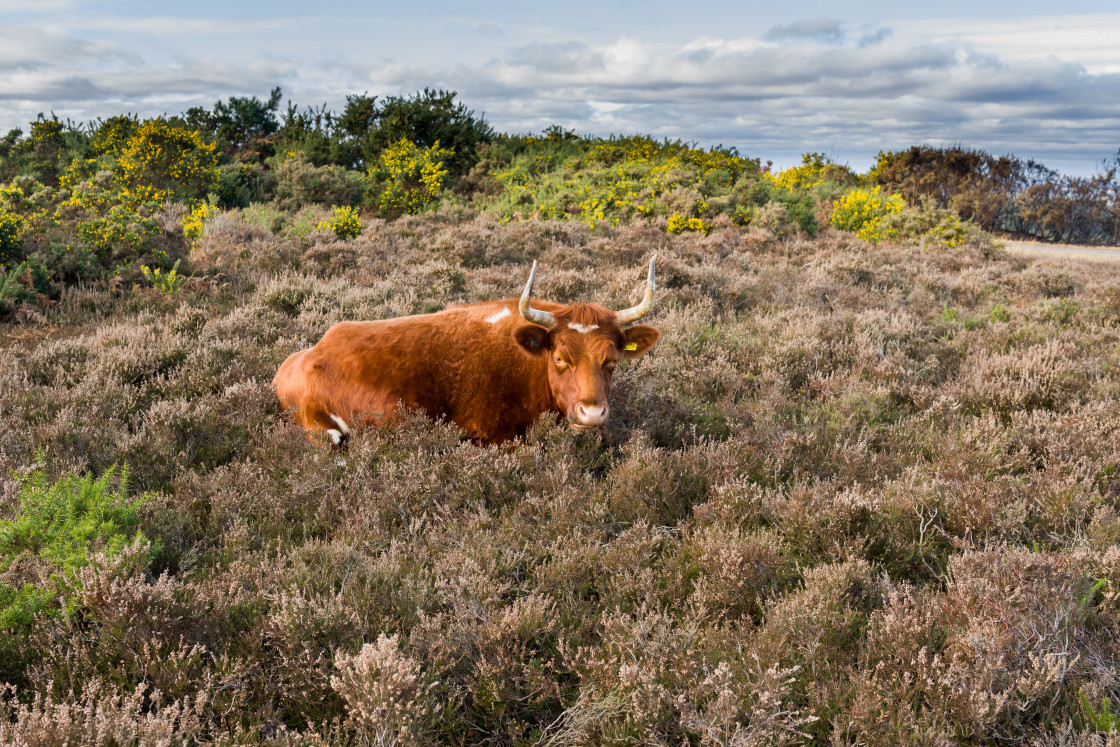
pixel 461 365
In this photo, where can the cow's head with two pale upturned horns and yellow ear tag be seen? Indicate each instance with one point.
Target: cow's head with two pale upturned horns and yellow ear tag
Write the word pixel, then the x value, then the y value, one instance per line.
pixel 583 344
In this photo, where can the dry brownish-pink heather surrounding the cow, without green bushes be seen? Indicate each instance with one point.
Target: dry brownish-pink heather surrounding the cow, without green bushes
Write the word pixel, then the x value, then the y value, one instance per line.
pixel 857 496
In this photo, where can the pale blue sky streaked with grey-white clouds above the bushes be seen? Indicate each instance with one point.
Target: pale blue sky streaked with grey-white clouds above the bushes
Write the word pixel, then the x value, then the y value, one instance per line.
pixel 776 80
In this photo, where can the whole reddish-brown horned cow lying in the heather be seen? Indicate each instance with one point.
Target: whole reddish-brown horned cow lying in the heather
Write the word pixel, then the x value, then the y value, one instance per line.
pixel 479 366
